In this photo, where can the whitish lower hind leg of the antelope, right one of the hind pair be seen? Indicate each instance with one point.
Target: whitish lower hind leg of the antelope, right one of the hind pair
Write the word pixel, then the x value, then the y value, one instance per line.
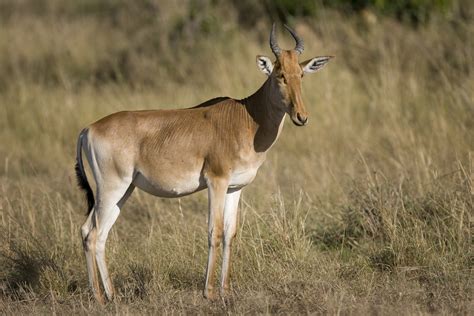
pixel 106 219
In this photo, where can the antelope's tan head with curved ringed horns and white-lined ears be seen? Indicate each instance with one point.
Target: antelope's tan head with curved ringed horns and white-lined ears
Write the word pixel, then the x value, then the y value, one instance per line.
pixel 286 73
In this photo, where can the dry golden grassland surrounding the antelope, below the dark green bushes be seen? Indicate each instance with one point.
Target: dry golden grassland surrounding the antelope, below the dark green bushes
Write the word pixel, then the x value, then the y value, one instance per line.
pixel 368 209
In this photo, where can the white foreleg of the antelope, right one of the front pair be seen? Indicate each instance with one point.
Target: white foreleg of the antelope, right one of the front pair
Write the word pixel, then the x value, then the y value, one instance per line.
pixel 230 228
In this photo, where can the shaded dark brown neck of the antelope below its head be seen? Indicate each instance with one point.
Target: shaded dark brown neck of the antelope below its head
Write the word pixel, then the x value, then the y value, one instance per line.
pixel 267 110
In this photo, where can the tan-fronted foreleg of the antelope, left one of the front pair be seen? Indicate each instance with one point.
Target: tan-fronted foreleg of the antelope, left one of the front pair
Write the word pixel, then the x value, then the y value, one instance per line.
pixel 217 188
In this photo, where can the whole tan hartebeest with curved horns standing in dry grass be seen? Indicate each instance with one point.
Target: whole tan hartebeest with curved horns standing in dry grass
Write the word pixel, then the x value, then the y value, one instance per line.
pixel 219 145
